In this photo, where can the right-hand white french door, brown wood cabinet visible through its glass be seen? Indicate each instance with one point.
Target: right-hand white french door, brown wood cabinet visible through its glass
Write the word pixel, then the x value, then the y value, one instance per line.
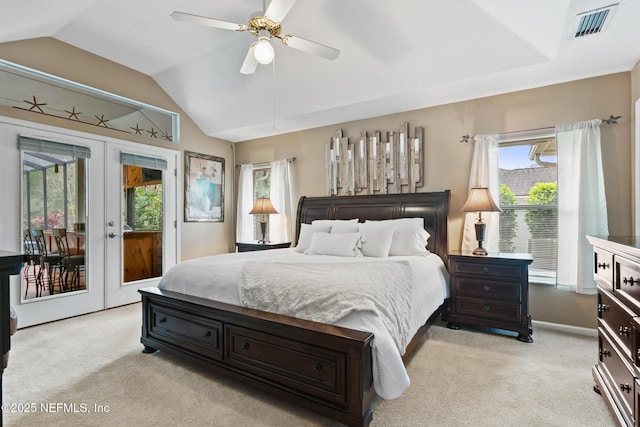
pixel 141 219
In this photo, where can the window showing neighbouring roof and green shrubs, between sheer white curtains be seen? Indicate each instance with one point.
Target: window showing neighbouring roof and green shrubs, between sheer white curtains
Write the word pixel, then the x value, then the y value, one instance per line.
pixel 528 198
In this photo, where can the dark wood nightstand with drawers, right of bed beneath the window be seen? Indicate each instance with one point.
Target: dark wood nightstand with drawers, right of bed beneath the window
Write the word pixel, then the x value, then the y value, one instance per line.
pixel 490 291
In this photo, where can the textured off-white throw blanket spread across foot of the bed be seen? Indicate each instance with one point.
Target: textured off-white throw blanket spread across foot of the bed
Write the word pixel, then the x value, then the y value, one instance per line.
pixel 327 292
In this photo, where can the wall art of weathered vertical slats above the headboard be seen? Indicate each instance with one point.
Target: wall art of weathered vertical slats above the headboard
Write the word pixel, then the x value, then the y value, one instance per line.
pixel 376 163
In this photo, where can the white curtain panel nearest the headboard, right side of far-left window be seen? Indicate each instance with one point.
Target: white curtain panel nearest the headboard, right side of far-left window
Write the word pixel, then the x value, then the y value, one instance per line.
pixel 280 195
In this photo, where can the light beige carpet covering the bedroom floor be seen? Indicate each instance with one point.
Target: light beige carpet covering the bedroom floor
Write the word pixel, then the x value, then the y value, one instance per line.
pixel 90 371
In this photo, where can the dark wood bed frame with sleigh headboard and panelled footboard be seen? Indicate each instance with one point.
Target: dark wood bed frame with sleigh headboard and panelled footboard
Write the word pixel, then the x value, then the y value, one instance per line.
pixel 323 368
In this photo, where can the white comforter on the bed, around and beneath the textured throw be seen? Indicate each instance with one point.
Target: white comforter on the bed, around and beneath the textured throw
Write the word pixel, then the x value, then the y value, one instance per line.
pixel 217 277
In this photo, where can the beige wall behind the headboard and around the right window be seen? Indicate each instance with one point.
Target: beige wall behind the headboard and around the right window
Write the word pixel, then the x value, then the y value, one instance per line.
pixel 447 161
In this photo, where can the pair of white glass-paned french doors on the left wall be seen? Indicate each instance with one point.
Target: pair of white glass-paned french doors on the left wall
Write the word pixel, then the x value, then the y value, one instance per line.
pixel 85 185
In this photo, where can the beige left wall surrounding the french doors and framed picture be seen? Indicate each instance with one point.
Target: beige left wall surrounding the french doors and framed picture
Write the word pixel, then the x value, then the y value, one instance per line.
pixel 54 57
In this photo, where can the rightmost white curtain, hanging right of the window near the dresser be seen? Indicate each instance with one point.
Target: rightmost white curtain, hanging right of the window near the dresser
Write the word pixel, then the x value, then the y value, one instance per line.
pixel 582 206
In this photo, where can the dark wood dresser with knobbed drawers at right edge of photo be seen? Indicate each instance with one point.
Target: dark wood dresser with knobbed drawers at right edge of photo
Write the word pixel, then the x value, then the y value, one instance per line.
pixel 617 373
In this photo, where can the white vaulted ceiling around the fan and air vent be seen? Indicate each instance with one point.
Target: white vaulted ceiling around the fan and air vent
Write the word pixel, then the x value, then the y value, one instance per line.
pixel 394 56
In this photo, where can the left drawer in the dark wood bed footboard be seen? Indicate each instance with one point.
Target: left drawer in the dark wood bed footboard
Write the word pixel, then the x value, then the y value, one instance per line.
pixel 204 336
